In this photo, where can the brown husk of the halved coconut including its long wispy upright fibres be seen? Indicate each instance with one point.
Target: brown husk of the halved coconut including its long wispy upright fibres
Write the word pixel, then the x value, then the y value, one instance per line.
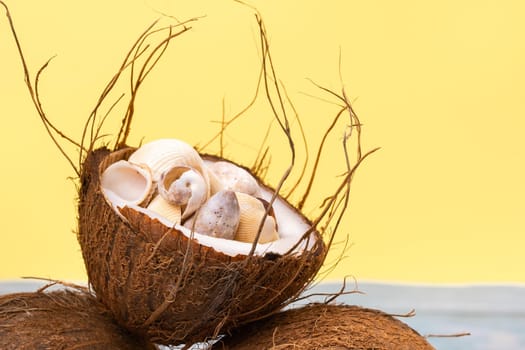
pixel 159 283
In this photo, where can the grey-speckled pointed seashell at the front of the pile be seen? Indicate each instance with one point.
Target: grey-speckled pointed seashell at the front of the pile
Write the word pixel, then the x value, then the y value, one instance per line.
pixel 218 217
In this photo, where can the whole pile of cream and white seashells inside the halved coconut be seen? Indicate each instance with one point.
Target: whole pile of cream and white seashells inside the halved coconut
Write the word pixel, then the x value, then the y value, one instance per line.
pixel 168 178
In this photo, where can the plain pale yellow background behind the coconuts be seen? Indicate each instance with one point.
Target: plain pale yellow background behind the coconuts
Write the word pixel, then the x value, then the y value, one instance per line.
pixel 438 85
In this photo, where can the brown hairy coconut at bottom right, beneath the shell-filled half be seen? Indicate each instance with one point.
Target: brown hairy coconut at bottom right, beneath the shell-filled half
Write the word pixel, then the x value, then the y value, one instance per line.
pixel 321 326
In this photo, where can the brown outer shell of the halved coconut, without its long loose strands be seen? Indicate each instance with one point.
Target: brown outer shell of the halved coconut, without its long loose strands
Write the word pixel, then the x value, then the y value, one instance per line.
pixel 168 288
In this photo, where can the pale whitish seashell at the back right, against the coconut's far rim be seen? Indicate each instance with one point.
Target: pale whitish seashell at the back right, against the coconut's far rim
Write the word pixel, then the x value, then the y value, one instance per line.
pixel 233 177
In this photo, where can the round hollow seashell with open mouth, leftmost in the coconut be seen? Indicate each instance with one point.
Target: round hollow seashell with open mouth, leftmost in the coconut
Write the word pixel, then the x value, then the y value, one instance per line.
pixel 126 183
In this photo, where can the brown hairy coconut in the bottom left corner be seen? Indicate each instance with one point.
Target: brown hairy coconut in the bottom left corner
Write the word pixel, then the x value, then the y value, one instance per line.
pixel 61 320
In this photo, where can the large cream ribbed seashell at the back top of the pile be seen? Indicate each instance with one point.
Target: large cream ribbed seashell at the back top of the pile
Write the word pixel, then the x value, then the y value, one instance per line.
pixel 163 154
